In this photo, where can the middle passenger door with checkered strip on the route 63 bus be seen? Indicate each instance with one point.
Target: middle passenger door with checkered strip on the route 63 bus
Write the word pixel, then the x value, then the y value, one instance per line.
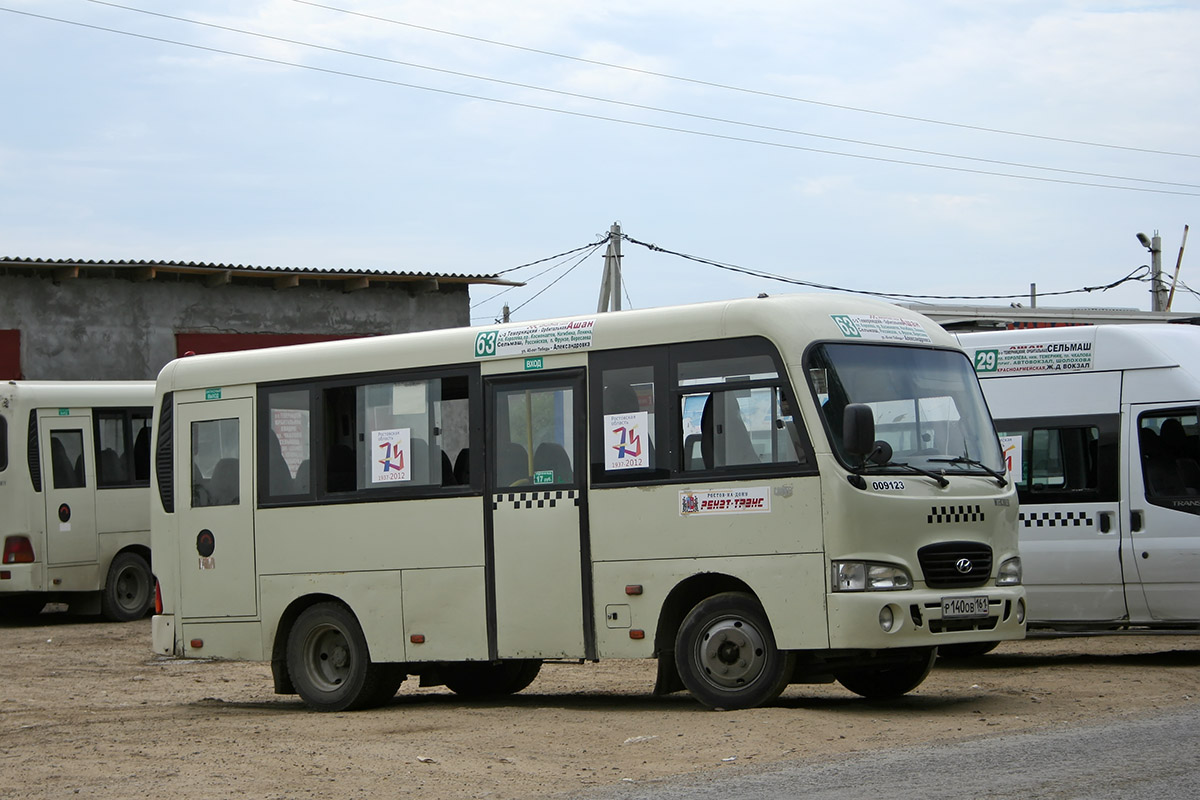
pixel 538 555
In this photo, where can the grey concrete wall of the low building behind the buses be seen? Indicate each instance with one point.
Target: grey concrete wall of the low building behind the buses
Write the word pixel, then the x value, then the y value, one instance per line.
pixel 113 329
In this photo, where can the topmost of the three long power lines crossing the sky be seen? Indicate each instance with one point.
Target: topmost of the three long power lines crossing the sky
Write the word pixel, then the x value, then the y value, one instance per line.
pixel 752 92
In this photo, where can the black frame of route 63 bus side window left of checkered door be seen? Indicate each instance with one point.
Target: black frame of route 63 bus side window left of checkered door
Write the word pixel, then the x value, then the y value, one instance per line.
pixel 317 390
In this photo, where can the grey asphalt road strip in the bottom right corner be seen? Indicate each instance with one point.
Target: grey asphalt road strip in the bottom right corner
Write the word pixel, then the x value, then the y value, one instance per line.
pixel 1156 759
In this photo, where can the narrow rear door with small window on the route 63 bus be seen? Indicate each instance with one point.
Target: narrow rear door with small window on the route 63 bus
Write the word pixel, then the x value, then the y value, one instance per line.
pixel 217 508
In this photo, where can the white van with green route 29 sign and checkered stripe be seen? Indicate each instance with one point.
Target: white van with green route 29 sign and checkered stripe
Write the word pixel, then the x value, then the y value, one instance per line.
pixel 1101 424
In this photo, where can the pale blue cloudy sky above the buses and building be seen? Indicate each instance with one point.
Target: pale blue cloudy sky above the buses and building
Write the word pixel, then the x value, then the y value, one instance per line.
pixel 765 134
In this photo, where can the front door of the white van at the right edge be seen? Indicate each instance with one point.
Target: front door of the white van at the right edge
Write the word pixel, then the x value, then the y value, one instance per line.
pixel 1163 508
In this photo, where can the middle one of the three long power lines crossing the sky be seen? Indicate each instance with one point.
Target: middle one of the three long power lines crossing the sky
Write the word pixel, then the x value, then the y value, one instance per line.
pixel 644 107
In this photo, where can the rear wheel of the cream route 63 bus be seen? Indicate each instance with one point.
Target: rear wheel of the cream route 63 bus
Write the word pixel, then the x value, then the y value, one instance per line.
pixel 329 663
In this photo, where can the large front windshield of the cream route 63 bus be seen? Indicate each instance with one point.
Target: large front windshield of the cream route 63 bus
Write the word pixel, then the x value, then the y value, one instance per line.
pixel 928 405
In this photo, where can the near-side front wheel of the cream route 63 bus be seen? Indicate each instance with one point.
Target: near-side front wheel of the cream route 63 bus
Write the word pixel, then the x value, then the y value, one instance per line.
pixel 727 654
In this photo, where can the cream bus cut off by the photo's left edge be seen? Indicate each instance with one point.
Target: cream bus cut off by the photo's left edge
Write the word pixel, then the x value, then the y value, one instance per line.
pixel 75 497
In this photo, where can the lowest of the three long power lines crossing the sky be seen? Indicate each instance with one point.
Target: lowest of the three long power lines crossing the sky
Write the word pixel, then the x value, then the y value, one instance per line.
pixel 599 117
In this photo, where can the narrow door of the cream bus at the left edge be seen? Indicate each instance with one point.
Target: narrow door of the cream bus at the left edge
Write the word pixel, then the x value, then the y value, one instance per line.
pixel 70 489
